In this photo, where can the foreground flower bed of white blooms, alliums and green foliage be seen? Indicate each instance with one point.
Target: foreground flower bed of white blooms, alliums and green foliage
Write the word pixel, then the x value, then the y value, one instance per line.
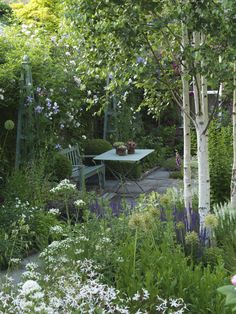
pixel 140 262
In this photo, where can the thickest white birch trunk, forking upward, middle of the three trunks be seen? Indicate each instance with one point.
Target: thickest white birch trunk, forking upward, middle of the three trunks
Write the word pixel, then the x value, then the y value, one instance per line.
pixel 201 108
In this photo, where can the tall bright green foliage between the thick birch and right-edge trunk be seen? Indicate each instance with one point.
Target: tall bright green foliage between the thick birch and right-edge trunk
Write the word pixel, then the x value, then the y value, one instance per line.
pixel 220 157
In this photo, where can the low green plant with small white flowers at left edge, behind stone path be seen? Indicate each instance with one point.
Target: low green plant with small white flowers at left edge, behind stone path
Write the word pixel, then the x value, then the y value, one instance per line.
pixel 23 227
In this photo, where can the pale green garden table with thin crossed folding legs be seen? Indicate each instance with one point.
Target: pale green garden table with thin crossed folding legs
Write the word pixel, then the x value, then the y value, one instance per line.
pixel 132 158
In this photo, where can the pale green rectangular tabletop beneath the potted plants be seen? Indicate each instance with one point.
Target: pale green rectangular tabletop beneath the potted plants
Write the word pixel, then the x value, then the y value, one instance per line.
pixel 112 156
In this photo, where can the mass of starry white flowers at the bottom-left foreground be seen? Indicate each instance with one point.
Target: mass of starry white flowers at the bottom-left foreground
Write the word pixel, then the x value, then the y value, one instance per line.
pixel 73 285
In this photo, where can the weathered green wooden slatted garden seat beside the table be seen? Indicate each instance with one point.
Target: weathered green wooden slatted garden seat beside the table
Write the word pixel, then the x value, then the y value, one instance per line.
pixel 81 172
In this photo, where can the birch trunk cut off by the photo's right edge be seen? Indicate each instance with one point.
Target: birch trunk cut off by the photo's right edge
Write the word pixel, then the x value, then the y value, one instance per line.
pixel 233 178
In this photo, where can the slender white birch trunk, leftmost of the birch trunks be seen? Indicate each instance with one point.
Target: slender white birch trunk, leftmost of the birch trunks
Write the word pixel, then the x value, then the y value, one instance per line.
pixel 186 133
